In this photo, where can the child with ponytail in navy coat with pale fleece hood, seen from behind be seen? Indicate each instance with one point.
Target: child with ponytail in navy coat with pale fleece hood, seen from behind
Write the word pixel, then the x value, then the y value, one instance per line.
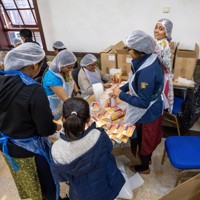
pixel 83 157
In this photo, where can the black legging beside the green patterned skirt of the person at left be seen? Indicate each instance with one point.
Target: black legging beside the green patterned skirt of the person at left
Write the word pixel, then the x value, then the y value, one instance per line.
pixel 47 184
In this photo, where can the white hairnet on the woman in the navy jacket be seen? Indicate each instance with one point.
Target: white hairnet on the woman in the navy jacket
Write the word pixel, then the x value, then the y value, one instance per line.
pixel 141 42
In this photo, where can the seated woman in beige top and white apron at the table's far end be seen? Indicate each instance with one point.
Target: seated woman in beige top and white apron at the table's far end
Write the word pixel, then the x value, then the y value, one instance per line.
pixel 90 74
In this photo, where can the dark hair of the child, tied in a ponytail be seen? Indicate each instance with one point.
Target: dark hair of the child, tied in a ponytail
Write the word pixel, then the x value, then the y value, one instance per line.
pixel 76 113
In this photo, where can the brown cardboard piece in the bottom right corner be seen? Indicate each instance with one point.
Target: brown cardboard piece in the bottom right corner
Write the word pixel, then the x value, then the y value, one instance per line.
pixel 189 190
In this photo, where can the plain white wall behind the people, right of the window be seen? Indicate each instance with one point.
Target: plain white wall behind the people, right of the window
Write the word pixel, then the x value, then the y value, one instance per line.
pixel 93 25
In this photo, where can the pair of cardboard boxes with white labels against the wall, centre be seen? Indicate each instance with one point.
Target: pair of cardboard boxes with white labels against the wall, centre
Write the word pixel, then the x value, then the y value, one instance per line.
pixel 115 56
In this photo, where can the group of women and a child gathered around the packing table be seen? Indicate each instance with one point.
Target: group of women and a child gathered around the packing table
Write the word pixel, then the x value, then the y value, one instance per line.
pixel 83 157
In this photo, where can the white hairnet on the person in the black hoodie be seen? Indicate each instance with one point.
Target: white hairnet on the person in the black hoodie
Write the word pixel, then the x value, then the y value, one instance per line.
pixel 26 54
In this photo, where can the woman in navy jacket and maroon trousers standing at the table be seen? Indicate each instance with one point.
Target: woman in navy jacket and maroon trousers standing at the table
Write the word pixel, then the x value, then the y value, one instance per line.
pixel 143 95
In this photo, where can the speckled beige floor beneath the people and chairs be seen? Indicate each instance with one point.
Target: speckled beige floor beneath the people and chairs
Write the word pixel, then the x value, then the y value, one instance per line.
pixel 159 182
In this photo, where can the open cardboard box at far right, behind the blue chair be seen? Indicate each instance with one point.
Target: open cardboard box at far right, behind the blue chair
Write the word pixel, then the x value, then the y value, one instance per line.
pixel 185 62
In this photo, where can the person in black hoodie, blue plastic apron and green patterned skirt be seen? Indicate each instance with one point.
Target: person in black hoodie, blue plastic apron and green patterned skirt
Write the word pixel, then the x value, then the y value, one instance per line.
pixel 25 123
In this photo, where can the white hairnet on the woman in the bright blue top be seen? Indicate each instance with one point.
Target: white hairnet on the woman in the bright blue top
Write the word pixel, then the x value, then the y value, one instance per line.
pixel 63 59
